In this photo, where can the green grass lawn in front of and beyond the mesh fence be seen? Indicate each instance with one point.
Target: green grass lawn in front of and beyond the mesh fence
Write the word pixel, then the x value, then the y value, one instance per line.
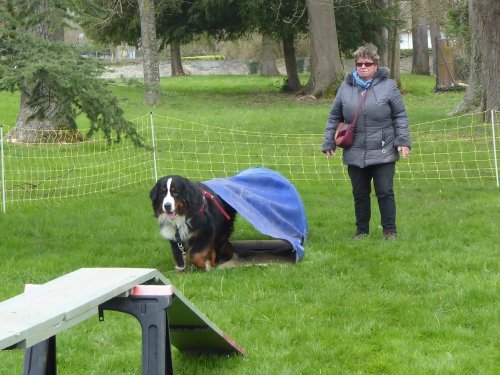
pixel 424 304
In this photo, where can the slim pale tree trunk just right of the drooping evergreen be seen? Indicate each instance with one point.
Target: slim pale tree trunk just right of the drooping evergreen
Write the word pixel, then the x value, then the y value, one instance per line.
pixel 151 67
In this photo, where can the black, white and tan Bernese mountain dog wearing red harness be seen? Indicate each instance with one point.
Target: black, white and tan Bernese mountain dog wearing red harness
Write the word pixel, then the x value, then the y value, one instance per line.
pixel 196 221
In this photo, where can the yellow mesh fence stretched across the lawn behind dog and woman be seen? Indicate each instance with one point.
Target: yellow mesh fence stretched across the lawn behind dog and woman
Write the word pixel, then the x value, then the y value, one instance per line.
pixel 460 150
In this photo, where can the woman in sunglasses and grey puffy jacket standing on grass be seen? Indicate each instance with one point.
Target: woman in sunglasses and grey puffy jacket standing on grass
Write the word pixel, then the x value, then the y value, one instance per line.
pixel 381 135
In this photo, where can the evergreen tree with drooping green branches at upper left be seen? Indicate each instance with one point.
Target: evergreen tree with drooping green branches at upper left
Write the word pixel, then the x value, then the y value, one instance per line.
pixel 55 82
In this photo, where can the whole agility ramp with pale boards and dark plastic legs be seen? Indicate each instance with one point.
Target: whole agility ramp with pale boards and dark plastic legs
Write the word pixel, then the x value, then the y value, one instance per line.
pixel 32 320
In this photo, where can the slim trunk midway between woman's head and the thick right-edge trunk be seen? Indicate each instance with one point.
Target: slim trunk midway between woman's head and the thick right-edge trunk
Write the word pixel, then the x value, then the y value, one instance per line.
pixel 420 62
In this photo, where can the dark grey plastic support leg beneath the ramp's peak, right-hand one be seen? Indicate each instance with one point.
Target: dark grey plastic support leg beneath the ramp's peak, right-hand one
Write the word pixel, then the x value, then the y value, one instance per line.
pixel 151 312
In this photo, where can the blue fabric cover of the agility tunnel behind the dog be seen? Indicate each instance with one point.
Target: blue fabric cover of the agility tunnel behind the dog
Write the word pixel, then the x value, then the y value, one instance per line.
pixel 269 202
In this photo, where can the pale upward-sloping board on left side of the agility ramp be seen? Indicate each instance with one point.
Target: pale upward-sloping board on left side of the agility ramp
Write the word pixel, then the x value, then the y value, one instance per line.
pixel 44 311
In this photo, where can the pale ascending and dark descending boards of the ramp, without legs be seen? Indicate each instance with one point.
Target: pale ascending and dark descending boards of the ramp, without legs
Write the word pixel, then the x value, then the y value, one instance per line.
pixel 45 310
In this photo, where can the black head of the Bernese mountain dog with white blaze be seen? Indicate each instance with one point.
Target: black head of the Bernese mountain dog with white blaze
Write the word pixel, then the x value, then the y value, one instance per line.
pixel 174 196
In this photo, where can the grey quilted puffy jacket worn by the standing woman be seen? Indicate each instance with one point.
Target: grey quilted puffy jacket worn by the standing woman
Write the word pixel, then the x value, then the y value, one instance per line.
pixel 382 124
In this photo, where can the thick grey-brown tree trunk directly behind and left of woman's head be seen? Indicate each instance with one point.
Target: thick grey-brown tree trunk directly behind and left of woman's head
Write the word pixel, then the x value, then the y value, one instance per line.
pixel 326 66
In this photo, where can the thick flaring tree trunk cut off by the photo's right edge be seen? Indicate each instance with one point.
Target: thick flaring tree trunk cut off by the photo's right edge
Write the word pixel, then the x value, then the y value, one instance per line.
pixel 484 81
